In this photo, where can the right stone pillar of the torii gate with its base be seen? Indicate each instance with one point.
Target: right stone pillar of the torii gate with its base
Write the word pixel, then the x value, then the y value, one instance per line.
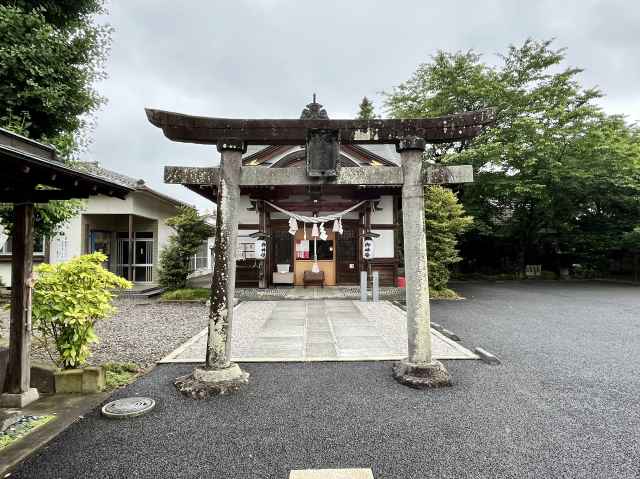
pixel 418 370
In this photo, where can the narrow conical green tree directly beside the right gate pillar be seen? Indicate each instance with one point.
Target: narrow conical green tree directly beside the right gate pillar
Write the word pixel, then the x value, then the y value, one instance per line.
pixel 445 221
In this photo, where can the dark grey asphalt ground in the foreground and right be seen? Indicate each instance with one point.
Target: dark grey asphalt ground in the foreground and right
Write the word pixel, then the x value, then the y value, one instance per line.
pixel 564 403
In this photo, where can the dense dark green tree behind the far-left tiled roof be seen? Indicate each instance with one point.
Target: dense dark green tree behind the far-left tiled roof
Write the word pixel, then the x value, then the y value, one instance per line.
pixel 51 54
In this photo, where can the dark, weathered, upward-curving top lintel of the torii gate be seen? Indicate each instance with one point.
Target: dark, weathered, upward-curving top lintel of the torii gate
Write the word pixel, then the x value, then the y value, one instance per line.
pixel 206 130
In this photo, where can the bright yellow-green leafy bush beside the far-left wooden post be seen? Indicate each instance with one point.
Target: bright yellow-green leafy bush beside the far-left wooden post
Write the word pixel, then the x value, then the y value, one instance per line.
pixel 68 299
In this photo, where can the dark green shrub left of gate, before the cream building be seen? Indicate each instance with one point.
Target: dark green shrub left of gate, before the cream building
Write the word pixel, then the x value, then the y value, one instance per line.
pixel 175 259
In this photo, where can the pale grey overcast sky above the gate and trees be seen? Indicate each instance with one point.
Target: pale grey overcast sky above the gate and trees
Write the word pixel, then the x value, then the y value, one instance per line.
pixel 264 59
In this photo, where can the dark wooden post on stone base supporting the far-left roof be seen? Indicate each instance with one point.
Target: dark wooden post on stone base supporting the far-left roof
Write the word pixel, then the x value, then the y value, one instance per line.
pixel 17 382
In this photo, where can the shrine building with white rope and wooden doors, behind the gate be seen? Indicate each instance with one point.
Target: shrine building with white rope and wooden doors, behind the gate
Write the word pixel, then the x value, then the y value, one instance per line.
pixel 373 209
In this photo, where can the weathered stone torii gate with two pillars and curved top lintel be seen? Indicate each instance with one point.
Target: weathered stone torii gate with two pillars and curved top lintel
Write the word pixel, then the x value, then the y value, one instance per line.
pixel 322 137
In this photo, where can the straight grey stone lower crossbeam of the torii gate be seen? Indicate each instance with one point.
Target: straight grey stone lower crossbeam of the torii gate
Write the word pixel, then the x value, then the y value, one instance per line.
pixel 356 176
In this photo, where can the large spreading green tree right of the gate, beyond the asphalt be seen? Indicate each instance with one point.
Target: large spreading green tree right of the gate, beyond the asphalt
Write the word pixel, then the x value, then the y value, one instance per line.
pixel 555 168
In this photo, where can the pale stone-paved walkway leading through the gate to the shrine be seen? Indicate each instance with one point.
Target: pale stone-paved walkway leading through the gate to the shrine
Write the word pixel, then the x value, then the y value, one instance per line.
pixel 318 330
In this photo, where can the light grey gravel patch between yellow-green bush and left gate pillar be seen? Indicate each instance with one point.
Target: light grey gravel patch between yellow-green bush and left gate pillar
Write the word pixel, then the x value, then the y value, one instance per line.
pixel 141 331
